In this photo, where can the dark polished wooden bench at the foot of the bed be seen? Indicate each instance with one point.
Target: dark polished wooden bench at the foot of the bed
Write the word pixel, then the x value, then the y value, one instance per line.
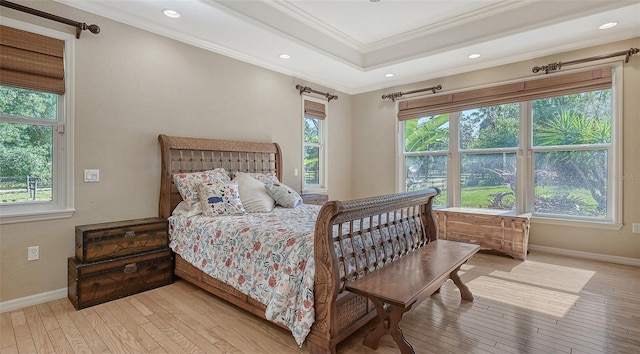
pixel 395 288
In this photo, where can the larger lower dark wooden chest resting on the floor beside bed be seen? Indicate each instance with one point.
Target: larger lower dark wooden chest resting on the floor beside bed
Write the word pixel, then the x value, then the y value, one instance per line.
pixel 94 283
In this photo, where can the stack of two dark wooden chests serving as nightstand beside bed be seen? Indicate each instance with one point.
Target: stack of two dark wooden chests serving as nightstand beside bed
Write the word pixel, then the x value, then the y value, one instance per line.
pixel 118 259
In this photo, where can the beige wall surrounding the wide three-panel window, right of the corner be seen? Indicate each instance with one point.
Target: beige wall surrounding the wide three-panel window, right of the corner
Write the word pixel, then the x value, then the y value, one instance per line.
pixel 374 152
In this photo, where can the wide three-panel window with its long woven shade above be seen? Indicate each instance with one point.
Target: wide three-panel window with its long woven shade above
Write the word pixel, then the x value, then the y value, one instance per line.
pixel 547 146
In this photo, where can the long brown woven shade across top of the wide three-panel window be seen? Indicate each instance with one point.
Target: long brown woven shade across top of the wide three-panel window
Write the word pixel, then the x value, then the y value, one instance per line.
pixel 596 79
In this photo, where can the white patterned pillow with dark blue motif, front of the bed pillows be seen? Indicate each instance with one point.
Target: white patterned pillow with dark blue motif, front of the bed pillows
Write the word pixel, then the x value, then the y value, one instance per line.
pixel 220 199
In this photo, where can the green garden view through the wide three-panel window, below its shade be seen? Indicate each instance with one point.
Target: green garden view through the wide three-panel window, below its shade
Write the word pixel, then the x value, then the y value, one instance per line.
pixel 569 151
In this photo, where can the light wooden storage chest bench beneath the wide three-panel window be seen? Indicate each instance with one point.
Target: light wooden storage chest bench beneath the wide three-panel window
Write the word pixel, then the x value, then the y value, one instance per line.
pixel 499 230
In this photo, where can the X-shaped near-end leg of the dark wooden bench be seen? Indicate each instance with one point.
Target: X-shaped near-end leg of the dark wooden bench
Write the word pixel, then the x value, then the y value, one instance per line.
pixel 388 322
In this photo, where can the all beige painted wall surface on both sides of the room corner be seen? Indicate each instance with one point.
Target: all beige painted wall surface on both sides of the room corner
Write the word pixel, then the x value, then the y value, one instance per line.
pixel 132 85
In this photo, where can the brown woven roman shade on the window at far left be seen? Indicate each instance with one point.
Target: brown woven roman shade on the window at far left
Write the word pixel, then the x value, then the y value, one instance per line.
pixel 31 61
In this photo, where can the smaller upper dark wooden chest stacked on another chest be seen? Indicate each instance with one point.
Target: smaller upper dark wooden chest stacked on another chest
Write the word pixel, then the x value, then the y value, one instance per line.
pixel 103 241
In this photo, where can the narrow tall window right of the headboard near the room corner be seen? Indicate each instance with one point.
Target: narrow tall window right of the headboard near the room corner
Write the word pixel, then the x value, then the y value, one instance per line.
pixel 314 143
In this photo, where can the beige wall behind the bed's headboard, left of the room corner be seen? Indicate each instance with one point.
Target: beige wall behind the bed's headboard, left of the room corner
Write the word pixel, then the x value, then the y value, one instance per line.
pixel 132 85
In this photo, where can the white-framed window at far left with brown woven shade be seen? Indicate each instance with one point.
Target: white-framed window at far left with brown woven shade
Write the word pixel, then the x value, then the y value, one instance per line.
pixel 35 132
